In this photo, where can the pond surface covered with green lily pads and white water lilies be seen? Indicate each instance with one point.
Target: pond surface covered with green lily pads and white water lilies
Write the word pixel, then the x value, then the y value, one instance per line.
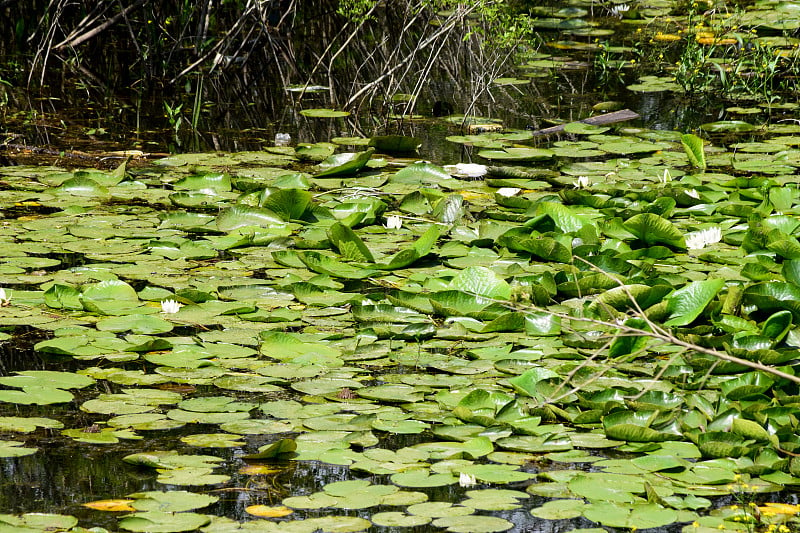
pixel 369 342
